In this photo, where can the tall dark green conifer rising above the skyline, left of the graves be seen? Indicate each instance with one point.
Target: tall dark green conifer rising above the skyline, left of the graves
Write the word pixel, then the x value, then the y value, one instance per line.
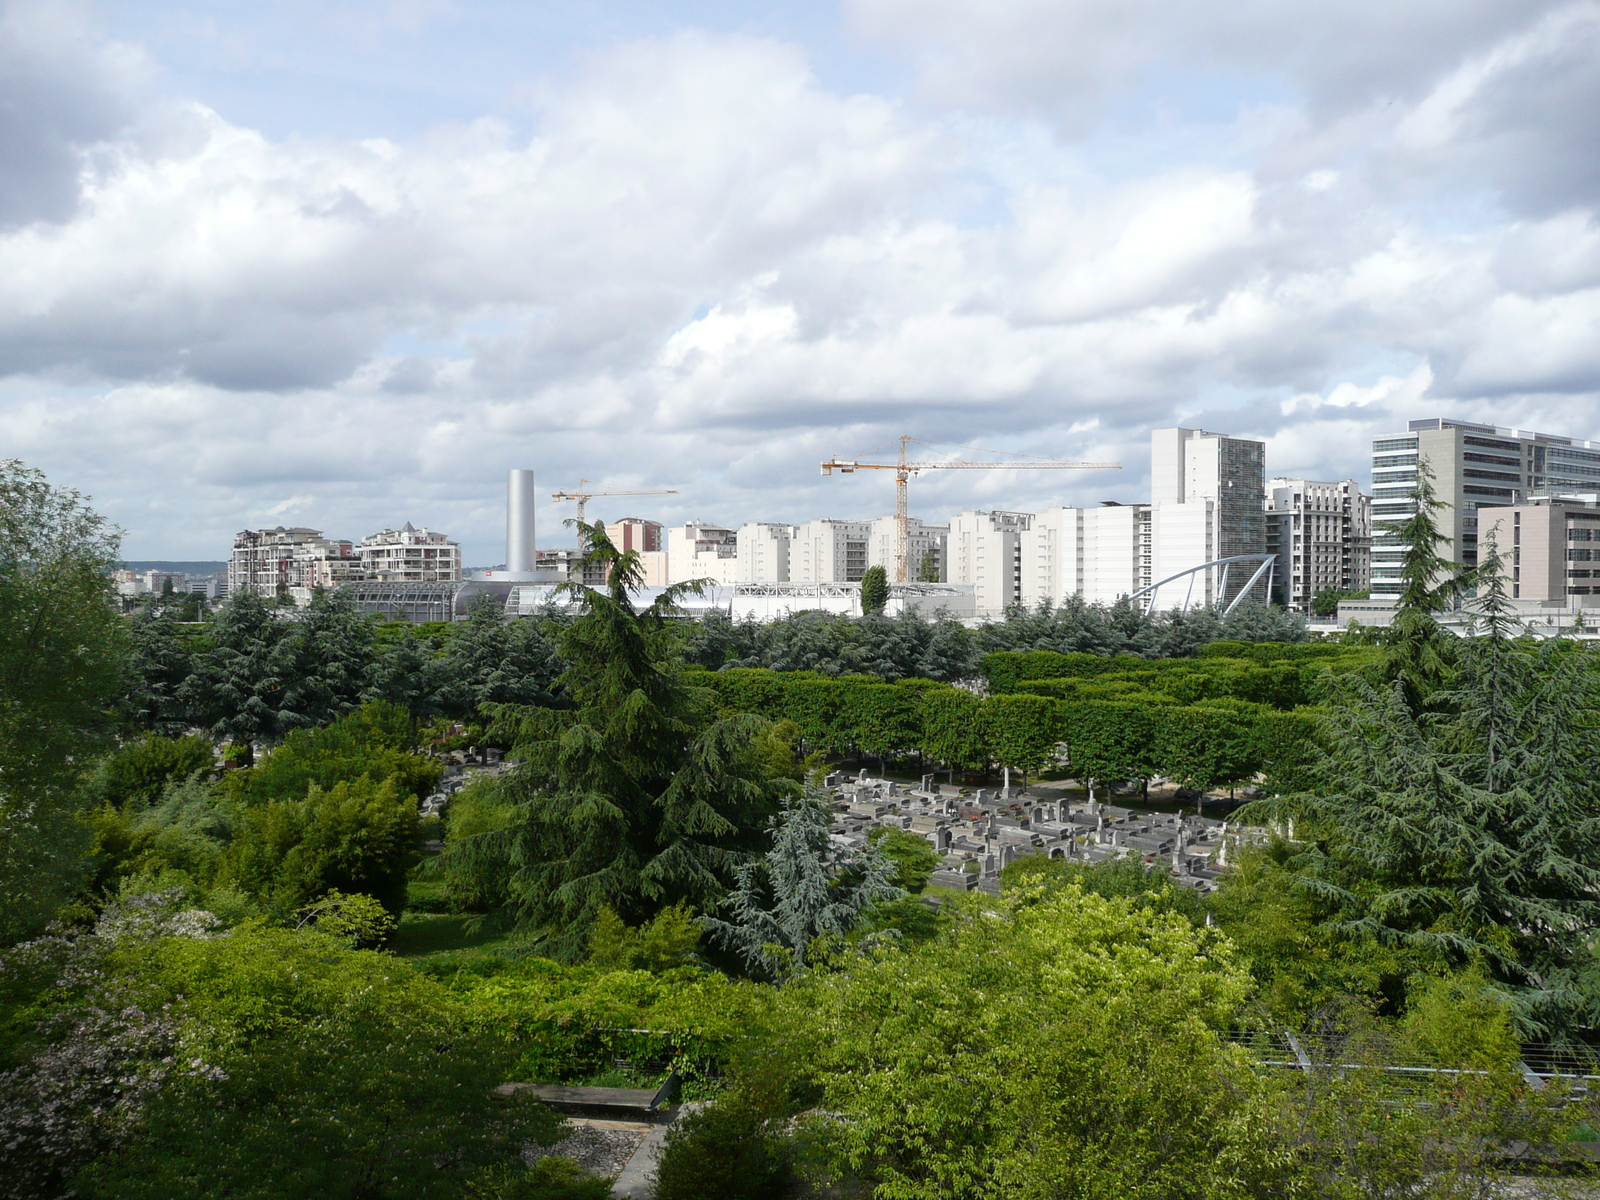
pixel 639 796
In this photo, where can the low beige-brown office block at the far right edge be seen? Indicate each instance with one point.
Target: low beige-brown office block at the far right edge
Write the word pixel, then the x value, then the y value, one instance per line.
pixel 1550 546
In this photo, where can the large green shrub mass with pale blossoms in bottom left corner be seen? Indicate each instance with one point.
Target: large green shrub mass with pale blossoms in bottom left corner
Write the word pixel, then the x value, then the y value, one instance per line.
pixel 265 1065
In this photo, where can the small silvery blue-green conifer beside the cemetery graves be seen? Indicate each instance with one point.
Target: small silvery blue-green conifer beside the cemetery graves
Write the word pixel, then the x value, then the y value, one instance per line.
pixel 801 892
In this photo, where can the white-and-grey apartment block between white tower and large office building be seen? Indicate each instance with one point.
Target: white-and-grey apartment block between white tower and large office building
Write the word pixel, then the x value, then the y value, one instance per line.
pixel 1322 535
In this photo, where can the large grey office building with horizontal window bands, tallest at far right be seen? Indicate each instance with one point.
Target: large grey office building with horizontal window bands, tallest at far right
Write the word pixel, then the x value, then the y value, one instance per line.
pixel 1474 466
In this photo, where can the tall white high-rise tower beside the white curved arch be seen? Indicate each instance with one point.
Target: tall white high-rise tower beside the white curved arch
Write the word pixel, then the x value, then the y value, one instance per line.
pixel 1207 503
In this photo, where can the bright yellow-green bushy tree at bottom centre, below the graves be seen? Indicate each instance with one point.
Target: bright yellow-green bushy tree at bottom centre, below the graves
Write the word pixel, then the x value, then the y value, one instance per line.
pixel 1039 1047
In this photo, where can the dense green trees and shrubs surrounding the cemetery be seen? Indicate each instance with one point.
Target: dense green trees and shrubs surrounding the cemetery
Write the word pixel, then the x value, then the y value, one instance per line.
pixel 223 822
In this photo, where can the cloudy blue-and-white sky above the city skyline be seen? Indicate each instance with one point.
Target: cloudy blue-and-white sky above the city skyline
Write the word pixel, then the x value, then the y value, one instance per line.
pixel 343 265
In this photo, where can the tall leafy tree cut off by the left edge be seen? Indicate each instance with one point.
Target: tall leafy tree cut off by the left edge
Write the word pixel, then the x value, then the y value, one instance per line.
pixel 63 665
